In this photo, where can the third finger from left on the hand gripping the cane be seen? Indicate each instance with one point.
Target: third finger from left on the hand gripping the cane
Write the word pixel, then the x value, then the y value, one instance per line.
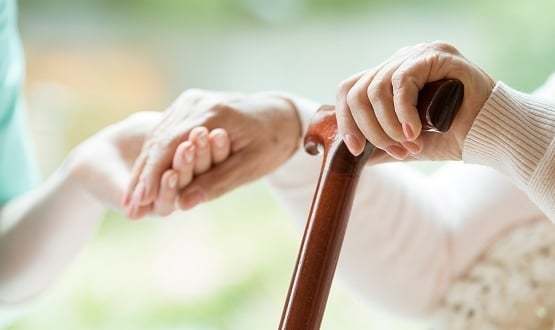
pixel 380 95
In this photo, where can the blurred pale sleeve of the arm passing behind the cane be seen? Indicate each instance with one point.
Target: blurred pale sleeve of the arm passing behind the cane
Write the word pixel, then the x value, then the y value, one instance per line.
pixel 409 234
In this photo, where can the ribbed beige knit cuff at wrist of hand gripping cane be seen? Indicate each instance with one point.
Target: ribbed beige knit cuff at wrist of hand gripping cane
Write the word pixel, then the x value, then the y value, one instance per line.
pixel 511 133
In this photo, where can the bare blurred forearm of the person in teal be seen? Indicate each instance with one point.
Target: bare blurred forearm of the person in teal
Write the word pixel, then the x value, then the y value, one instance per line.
pixel 41 232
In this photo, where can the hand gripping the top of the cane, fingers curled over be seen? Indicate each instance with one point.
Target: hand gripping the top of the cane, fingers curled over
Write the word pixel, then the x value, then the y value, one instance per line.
pixel 379 105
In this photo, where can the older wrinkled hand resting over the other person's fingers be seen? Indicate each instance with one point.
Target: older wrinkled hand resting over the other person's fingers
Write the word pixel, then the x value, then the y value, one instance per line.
pixel 264 131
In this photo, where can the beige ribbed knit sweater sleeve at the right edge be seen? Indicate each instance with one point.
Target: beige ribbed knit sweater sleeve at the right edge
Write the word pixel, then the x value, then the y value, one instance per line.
pixel 514 134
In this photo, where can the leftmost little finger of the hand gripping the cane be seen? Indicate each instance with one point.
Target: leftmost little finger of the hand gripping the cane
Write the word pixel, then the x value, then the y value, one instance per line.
pixel 346 126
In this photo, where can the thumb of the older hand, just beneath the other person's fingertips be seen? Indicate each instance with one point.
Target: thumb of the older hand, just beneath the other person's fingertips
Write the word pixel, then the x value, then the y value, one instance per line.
pixel 221 179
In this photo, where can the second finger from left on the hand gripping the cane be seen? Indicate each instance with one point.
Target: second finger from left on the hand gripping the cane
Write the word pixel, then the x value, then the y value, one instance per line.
pixel 363 115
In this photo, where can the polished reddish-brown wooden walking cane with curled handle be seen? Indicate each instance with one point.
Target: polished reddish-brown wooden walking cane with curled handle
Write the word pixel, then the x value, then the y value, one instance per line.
pixel 438 103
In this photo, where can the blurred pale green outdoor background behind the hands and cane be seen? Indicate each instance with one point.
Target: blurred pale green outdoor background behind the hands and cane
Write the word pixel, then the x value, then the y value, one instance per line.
pixel 227 264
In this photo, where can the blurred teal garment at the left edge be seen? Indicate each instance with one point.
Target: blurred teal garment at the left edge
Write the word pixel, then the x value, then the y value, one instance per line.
pixel 18 171
